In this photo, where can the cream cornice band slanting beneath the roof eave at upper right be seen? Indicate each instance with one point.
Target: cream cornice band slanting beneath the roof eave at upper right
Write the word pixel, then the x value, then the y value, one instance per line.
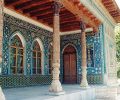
pixel 100 12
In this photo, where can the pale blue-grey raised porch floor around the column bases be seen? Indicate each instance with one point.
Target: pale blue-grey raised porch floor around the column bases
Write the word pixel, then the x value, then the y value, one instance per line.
pixel 73 92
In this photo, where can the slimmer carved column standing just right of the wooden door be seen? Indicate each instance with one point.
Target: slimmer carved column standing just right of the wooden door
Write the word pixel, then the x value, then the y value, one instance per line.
pixel 84 82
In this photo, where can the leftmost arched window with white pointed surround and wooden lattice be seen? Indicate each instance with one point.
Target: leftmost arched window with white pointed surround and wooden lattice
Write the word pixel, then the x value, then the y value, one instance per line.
pixel 17 54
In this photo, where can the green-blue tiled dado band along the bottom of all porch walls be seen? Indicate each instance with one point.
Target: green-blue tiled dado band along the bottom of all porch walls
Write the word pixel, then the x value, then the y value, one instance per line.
pixel 12 81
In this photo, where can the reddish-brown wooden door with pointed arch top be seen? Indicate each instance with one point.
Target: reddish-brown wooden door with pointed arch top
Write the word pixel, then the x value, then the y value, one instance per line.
pixel 69 59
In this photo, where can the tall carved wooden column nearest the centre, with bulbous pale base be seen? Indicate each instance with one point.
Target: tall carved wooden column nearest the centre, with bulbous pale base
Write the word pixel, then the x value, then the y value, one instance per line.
pixel 56 85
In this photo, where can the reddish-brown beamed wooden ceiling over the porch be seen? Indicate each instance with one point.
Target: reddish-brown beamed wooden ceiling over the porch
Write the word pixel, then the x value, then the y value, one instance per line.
pixel 42 11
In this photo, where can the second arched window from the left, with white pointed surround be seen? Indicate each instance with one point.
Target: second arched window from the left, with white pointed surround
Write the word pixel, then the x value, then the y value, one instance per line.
pixel 37 57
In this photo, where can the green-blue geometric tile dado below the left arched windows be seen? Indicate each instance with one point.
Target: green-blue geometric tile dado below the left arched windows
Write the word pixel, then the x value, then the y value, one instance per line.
pixel 11 81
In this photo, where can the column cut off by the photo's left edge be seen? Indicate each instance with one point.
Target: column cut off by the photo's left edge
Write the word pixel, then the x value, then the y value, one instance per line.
pixel 2 97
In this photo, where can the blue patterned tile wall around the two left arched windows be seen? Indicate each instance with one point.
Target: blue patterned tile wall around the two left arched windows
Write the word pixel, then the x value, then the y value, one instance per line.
pixel 29 32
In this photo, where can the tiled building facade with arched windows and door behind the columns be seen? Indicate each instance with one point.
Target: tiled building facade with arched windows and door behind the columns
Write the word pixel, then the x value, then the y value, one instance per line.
pixel 28 51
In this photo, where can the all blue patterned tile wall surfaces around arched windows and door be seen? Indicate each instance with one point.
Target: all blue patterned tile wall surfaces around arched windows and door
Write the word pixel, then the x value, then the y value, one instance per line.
pixel 30 32
